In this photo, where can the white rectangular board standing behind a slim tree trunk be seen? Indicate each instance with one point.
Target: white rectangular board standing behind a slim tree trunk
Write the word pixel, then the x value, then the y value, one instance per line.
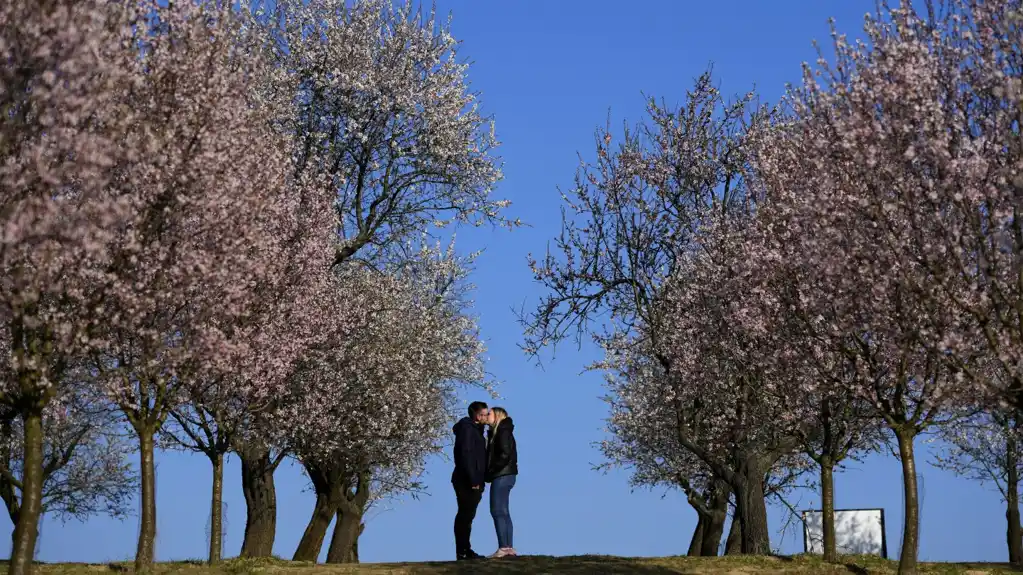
pixel 857 533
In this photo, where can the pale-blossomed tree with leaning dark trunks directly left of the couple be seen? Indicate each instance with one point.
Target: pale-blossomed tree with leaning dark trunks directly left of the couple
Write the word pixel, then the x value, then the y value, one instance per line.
pixel 375 400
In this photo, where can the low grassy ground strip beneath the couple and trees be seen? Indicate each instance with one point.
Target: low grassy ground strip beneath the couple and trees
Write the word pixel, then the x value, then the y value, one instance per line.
pixel 587 565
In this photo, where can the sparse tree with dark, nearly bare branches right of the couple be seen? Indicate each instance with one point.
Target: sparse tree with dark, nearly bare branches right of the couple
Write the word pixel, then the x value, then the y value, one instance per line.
pixel 632 220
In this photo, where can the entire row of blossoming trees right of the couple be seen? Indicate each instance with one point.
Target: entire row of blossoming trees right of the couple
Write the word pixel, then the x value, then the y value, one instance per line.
pixel 815 279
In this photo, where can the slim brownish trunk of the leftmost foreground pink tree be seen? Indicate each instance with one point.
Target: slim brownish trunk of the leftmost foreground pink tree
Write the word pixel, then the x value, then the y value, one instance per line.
pixel 27 529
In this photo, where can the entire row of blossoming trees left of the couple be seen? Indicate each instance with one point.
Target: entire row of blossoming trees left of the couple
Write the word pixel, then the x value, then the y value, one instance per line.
pixel 217 228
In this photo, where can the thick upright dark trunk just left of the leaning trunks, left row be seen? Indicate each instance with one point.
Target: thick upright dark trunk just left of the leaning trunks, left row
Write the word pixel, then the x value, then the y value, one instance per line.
pixel 261 502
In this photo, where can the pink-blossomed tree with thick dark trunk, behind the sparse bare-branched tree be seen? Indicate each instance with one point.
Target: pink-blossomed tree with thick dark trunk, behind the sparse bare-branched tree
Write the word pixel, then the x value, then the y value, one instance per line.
pixel 720 376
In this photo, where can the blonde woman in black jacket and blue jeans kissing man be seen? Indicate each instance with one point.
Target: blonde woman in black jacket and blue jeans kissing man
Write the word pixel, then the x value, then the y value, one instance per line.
pixel 503 467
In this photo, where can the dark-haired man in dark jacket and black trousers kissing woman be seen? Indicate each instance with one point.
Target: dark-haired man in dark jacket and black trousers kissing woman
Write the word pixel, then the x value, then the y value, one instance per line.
pixel 468 477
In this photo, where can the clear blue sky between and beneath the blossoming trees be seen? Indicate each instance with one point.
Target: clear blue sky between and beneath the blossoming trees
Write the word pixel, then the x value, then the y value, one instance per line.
pixel 550 72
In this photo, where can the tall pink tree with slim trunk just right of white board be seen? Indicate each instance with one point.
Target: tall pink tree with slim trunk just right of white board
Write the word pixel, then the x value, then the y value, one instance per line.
pixel 868 186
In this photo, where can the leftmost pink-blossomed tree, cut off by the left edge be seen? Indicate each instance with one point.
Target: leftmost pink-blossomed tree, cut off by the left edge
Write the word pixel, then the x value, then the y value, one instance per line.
pixel 61 90
